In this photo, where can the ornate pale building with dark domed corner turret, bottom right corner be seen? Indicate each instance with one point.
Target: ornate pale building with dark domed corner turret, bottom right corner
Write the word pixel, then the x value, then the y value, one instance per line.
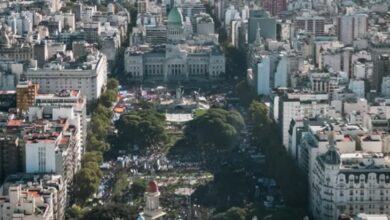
pixel 350 183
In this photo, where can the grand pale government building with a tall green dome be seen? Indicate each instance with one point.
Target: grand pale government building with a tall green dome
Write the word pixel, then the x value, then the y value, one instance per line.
pixel 181 58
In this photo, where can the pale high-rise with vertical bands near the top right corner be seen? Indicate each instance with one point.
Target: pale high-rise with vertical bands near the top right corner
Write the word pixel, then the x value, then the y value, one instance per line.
pixel 351 27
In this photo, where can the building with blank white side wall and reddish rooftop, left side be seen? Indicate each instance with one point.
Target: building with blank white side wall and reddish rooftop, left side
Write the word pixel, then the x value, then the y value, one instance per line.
pixel 51 147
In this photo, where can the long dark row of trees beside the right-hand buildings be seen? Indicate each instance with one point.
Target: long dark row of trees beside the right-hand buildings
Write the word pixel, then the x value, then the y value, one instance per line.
pixel 279 164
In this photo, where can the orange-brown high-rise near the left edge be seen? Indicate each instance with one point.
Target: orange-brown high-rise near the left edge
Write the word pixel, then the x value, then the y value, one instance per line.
pixel 25 95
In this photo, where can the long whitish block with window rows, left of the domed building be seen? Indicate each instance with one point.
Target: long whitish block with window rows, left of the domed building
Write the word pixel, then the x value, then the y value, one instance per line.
pixel 89 76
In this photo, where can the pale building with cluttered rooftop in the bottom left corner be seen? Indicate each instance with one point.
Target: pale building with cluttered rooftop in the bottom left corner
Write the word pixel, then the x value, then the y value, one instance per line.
pixel 33 196
